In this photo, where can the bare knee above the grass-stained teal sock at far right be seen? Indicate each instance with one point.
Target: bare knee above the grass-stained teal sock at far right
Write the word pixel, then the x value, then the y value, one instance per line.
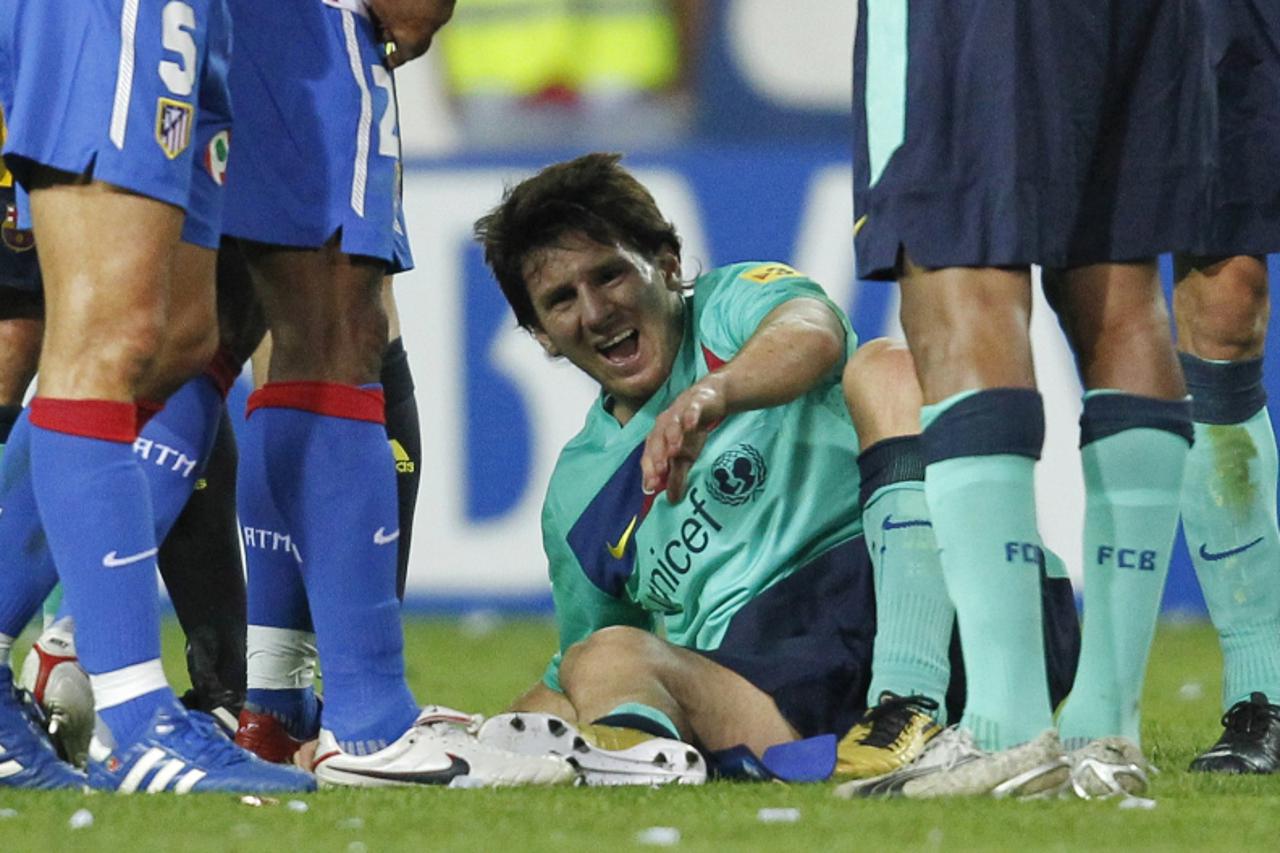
pixel 1222 308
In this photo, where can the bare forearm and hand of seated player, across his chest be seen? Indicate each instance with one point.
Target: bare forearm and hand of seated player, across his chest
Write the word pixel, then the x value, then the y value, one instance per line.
pixel 794 348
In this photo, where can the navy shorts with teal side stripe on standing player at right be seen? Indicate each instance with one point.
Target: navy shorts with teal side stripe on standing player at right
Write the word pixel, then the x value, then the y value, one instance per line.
pixel 1017 133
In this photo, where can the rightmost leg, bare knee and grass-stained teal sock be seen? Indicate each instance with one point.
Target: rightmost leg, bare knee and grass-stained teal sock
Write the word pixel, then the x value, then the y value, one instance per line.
pixel 1228 505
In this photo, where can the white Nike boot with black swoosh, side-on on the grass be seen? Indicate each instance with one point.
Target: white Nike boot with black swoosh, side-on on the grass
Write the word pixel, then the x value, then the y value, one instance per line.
pixel 441 749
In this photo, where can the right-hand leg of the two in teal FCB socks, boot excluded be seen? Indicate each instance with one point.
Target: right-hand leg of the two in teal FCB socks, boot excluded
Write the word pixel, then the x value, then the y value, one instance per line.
pixel 1135 436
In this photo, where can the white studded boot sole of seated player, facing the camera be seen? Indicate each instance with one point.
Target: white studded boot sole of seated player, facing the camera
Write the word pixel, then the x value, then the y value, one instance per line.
pixel 605 755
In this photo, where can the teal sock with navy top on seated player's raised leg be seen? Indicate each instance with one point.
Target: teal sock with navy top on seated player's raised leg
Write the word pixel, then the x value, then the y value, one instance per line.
pixel 913 613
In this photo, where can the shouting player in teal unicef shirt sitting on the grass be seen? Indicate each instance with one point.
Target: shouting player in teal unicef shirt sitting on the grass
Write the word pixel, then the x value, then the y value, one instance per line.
pixel 706 530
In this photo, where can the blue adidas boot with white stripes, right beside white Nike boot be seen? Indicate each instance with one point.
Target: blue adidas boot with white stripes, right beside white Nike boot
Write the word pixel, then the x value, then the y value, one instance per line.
pixel 182 752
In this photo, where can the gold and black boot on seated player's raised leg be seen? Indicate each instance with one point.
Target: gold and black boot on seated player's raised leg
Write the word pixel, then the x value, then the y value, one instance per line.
pixel 890 736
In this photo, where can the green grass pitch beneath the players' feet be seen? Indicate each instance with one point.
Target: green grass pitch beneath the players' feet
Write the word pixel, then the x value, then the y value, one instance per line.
pixel 479 667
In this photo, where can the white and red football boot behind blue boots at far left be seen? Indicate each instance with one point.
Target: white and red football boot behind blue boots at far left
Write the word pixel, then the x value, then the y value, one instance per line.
pixel 56 679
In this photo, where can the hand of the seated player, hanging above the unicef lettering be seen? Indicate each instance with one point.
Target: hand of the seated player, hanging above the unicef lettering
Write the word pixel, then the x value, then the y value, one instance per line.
pixel 679 436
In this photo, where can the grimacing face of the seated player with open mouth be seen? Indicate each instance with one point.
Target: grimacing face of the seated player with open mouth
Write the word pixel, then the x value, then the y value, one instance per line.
pixel 611 312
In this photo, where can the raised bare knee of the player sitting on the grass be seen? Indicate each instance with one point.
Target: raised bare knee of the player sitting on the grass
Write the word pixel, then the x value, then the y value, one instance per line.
pixel 883 391
